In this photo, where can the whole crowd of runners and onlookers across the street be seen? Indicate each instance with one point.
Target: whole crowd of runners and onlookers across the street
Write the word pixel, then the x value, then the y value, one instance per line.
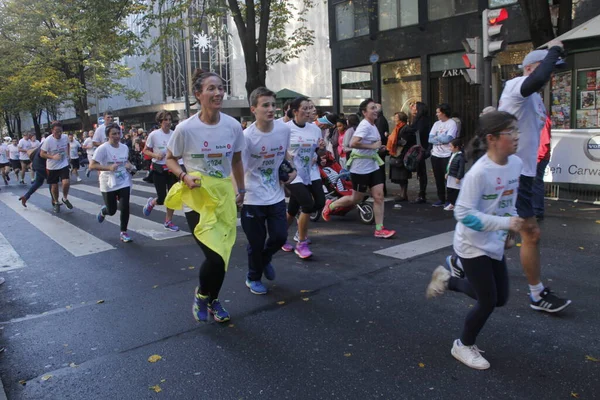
pixel 212 165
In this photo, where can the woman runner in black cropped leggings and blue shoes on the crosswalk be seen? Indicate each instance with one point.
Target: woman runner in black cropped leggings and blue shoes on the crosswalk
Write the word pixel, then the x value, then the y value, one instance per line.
pixel 111 159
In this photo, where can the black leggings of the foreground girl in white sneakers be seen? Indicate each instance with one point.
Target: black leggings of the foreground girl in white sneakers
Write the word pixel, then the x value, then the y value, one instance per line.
pixel 487 282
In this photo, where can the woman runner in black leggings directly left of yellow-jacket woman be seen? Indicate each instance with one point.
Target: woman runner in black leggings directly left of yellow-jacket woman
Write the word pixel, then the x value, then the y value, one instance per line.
pixel 156 147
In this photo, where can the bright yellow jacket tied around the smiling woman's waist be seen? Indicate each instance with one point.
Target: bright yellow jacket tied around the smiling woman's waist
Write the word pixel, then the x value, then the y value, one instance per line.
pixel 214 200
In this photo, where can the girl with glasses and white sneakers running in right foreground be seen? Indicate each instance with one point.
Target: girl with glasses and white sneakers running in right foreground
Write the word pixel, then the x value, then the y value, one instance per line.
pixel 485 211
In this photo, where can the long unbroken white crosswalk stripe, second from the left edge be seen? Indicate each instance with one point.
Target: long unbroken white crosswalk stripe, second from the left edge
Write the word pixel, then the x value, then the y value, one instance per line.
pixel 76 241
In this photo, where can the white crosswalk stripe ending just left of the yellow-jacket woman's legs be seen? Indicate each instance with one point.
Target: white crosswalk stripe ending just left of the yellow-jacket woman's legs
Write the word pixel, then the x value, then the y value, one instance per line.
pixel 139 225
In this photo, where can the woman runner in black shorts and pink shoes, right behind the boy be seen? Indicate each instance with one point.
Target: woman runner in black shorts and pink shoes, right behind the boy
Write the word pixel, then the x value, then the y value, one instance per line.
pixel 306 190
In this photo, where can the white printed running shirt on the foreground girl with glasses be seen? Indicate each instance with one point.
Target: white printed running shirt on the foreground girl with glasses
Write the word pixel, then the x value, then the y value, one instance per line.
pixel 486 201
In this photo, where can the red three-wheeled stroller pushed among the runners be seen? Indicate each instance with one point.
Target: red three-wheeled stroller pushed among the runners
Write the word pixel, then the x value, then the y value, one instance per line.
pixel 337 184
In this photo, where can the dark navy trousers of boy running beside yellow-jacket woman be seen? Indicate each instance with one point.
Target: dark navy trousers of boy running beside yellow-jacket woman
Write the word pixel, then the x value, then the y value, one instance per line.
pixel 257 222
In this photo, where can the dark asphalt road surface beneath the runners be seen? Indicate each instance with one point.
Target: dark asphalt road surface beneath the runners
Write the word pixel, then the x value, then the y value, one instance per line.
pixel 348 324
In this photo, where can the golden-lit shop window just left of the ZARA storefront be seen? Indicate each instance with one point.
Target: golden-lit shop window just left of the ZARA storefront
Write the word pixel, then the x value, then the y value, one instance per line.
pixel 400 86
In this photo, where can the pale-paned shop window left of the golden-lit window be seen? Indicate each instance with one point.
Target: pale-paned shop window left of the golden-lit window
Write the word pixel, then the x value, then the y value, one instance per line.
pixel 355 86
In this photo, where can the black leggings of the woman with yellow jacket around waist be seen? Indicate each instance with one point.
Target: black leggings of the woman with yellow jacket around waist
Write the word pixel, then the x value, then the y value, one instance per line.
pixel 212 270
